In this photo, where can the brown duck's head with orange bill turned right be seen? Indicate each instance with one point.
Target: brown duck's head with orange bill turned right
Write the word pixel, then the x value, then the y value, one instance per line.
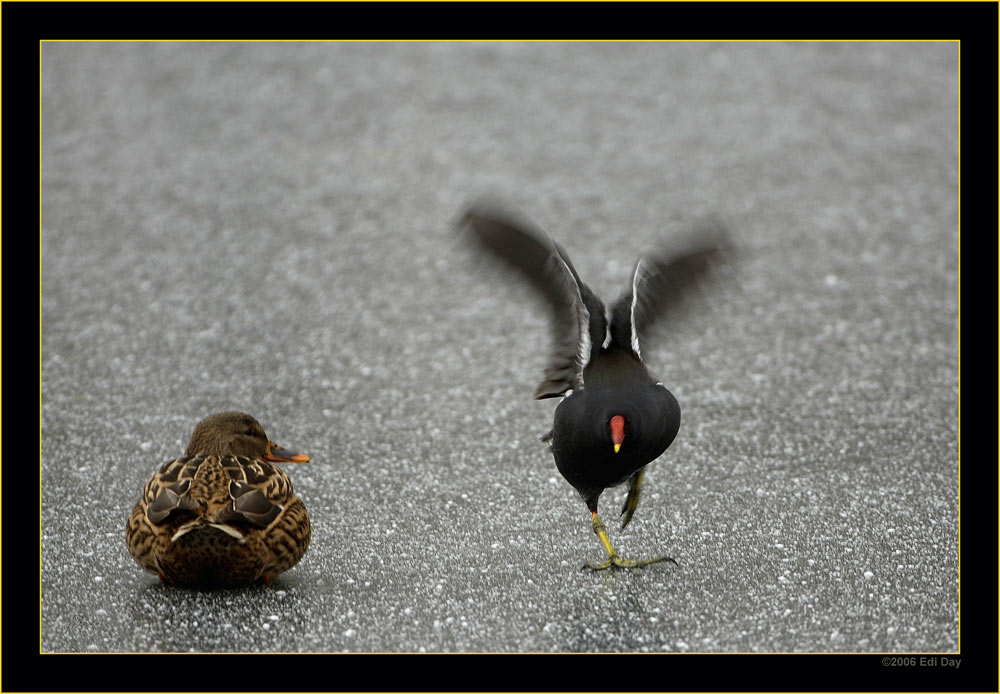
pixel 236 433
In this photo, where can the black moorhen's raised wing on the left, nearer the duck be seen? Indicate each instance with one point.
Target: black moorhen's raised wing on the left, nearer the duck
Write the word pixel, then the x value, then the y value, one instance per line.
pixel 578 321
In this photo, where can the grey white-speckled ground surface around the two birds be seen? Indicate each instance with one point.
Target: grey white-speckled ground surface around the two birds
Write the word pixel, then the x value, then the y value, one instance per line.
pixel 266 227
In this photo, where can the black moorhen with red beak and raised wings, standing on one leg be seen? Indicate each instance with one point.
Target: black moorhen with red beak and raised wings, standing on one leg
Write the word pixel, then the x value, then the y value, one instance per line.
pixel 614 417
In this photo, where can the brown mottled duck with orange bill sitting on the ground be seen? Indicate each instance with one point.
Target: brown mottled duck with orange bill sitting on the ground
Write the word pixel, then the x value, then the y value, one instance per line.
pixel 222 515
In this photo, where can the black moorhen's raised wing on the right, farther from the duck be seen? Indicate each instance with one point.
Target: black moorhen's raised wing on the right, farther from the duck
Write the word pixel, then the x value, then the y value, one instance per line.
pixel 662 279
